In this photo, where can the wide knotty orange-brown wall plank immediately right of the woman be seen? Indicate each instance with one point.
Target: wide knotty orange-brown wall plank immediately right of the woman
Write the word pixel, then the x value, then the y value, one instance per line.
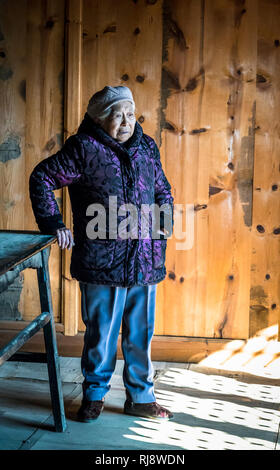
pixel 209 92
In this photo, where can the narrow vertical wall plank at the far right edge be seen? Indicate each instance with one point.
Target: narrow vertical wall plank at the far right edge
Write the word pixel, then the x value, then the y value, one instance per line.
pixel 265 275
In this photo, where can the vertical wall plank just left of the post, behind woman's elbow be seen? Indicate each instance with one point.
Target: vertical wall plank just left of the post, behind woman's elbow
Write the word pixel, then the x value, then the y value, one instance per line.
pixel 43 123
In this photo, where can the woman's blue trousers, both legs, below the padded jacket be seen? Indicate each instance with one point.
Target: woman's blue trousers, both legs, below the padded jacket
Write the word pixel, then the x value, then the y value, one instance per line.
pixel 104 310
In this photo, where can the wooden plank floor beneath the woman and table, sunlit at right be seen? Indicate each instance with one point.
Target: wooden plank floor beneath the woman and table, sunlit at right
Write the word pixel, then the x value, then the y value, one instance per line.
pixel 213 410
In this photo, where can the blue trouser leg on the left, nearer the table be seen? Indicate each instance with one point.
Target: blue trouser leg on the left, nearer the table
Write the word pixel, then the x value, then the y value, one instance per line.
pixel 102 310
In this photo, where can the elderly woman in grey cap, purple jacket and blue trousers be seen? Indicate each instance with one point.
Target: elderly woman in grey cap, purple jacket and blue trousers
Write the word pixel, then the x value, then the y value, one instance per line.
pixel 110 159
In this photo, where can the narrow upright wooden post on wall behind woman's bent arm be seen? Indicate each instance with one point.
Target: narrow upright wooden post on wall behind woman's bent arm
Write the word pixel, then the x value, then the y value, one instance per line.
pixel 73 53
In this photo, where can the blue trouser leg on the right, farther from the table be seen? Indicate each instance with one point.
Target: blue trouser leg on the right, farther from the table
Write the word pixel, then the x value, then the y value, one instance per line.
pixel 137 332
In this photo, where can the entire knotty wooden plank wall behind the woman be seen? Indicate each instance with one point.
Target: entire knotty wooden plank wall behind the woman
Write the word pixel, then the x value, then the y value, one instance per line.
pixel 205 77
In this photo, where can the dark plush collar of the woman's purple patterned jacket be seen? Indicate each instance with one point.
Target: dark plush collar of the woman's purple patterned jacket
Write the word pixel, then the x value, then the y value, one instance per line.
pixel 89 127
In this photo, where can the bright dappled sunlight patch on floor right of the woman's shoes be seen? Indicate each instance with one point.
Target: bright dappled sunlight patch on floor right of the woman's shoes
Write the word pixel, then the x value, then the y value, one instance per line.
pixel 212 412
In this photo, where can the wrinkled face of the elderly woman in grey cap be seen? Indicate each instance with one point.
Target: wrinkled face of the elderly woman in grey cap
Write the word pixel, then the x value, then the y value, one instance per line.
pixel 120 123
